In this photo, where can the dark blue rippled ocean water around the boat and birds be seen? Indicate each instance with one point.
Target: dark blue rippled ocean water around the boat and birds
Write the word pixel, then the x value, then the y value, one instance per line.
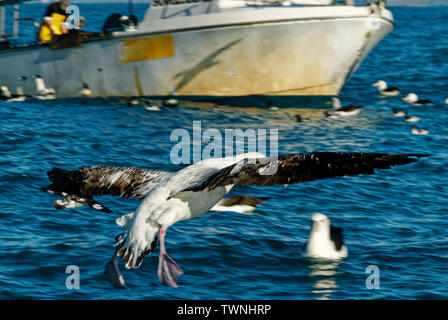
pixel 396 220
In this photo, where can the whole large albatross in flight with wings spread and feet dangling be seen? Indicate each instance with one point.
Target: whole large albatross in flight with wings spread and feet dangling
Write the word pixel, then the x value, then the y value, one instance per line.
pixel 192 191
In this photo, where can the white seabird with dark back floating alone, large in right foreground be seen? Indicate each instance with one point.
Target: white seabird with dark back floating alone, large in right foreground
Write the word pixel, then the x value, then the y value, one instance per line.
pixel 325 241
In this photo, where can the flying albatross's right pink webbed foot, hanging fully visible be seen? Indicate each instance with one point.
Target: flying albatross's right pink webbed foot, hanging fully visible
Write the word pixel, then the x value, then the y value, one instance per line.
pixel 168 270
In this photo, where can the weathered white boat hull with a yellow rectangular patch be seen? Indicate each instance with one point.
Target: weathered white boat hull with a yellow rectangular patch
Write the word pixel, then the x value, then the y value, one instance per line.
pixel 287 57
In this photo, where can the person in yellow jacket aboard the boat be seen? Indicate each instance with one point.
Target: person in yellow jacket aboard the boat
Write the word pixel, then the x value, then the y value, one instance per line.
pixel 53 21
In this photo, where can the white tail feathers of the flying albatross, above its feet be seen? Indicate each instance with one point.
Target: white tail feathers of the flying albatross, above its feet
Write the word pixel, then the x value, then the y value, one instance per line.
pixel 134 243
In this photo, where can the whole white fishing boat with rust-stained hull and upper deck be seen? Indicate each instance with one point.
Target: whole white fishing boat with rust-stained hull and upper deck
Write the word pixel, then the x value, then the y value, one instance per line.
pixel 296 53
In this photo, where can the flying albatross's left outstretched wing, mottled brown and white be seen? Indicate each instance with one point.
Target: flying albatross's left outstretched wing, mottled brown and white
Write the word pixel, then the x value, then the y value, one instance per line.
pixel 79 186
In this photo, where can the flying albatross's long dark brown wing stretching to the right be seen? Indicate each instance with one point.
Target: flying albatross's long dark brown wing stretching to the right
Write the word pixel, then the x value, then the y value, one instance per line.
pixel 295 168
